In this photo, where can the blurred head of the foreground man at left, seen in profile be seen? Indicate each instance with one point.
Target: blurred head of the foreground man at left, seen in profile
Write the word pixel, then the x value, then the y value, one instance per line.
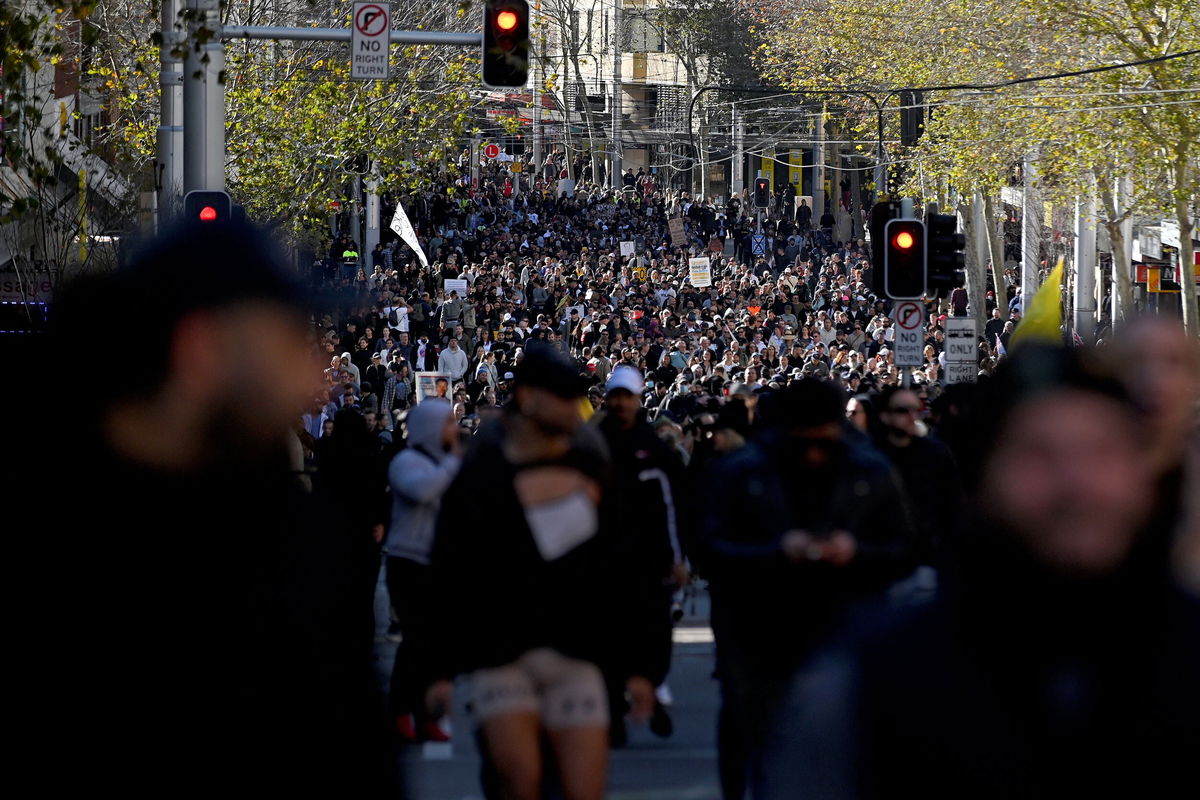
pixel 208 328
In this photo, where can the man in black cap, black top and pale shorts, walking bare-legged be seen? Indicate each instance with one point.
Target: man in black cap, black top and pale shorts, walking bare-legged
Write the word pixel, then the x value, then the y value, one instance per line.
pixel 527 607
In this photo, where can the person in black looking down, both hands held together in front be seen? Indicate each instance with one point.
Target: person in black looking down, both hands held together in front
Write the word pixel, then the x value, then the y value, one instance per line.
pixel 799 526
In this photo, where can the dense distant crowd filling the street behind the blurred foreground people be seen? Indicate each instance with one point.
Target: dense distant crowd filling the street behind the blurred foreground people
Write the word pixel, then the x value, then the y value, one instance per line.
pixel 598 274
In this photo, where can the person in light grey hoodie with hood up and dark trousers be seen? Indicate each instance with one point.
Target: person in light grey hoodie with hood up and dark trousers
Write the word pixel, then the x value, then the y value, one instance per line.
pixel 418 477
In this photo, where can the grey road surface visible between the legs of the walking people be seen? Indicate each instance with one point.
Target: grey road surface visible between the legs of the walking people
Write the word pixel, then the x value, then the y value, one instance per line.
pixel 680 768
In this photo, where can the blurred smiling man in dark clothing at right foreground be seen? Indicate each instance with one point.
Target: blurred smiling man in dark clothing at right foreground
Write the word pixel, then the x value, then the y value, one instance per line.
pixel 1058 660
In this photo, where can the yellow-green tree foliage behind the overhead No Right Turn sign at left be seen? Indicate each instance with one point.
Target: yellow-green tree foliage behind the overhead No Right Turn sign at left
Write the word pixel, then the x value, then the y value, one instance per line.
pixel 301 133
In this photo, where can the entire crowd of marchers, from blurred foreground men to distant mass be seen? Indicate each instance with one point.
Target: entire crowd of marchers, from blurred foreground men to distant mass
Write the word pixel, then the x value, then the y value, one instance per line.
pixel 545 411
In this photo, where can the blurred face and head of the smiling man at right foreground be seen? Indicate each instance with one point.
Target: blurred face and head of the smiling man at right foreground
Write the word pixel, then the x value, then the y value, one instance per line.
pixel 1066 472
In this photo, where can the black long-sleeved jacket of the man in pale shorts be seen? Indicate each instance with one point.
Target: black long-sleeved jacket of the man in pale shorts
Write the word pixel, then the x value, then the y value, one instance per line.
pixel 501 599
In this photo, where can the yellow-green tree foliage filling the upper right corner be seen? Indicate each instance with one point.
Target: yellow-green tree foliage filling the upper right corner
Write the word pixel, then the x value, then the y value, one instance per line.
pixel 1084 128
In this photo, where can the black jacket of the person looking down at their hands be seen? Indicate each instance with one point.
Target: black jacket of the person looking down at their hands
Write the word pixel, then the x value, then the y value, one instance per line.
pixel 755 496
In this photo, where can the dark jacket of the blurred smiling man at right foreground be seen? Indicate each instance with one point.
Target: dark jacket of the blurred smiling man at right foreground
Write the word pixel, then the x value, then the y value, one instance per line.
pixel 1012 684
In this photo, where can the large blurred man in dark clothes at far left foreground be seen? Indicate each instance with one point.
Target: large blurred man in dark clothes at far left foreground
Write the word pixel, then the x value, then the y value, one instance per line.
pixel 218 607
